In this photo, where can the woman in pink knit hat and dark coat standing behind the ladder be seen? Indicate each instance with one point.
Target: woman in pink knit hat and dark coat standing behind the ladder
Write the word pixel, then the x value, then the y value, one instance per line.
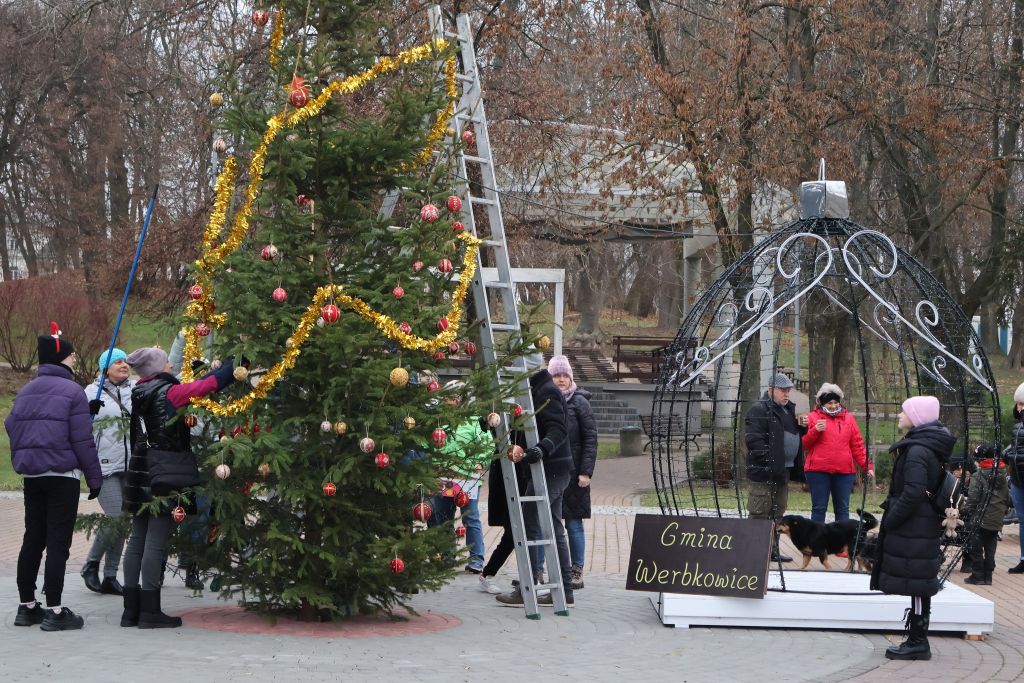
pixel 583 442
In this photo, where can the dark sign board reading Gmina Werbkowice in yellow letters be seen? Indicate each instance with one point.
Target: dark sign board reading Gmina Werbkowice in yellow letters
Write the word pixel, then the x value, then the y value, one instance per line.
pixel 700 556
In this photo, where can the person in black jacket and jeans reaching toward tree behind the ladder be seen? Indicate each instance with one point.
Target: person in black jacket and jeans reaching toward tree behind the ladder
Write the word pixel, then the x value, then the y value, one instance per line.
pixel 553 449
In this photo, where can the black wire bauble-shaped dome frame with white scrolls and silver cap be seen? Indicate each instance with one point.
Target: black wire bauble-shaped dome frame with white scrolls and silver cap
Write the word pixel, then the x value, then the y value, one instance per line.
pixel 910 337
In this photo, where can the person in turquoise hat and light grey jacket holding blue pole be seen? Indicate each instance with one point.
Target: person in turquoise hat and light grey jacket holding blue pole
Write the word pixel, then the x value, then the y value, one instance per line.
pixel 111 432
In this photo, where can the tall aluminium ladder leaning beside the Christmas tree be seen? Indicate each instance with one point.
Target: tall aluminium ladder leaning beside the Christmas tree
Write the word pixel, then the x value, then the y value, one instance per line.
pixel 471 116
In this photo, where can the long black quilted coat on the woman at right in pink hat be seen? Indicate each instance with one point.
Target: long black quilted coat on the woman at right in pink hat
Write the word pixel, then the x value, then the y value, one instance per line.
pixel 910 557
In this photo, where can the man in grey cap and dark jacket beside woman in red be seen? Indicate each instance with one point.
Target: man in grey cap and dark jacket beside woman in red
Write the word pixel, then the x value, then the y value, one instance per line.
pixel 774 445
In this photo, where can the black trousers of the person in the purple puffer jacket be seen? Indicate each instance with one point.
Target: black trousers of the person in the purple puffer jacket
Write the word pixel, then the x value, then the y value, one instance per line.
pixel 51 509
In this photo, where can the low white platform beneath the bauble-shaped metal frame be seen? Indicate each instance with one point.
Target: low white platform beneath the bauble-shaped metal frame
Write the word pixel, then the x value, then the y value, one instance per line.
pixel 827 601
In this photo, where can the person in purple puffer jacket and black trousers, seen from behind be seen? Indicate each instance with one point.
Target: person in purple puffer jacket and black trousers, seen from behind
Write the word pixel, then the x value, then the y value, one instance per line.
pixel 52 447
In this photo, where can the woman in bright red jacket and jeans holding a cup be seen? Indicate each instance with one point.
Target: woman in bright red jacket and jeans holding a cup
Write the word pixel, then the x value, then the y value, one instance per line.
pixel 832 446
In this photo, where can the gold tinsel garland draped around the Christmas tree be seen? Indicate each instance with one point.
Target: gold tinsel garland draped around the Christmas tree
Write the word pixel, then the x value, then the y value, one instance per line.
pixel 215 254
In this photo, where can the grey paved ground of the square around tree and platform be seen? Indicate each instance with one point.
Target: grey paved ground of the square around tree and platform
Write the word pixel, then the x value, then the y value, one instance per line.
pixel 613 635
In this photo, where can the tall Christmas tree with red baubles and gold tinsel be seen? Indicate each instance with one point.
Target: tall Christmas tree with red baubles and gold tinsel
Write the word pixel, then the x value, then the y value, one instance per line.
pixel 346 314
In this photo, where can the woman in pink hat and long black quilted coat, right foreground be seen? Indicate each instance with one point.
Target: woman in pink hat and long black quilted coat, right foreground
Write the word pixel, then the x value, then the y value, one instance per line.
pixel 910 553
